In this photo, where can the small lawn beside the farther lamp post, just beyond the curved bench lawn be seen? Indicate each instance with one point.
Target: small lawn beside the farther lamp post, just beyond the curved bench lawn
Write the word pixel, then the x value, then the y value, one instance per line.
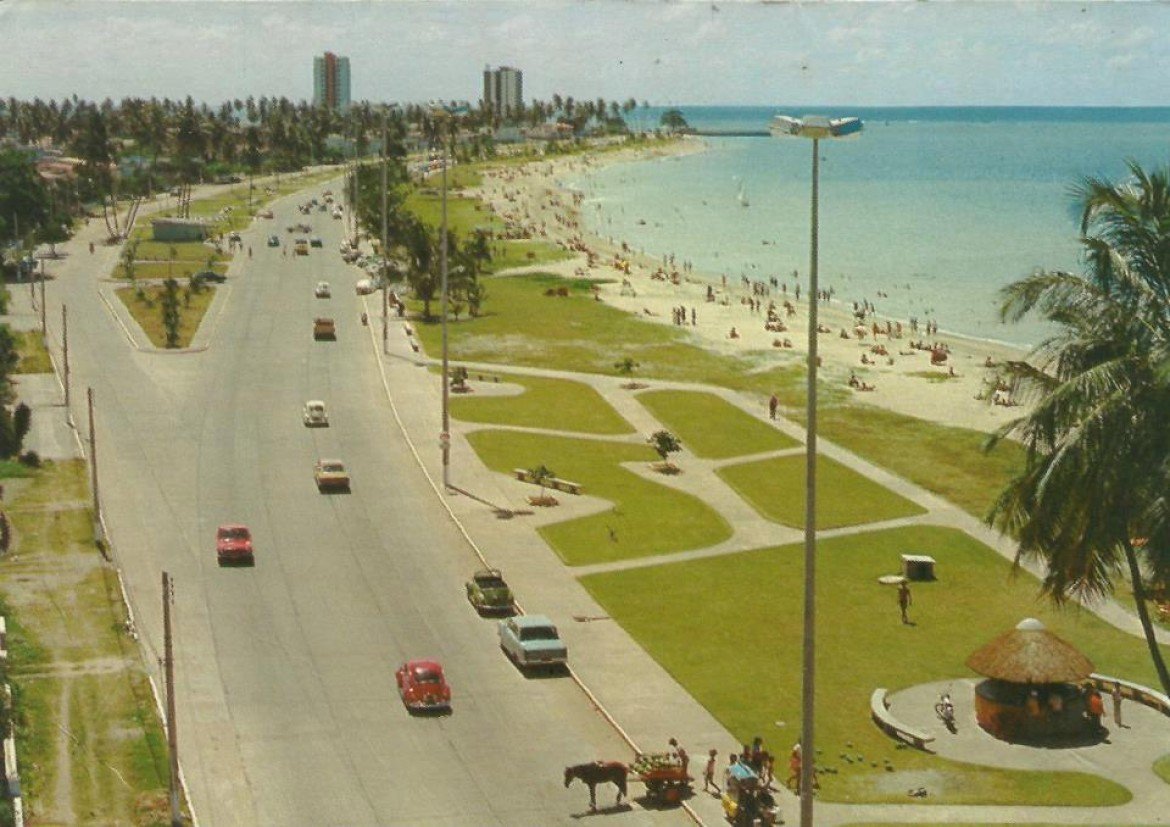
pixel 567 405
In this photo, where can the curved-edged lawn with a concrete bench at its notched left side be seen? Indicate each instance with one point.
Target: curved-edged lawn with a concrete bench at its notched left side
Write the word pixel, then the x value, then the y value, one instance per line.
pixel 646 520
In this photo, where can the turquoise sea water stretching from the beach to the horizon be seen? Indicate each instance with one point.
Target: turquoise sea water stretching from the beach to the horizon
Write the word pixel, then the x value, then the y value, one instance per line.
pixel 928 213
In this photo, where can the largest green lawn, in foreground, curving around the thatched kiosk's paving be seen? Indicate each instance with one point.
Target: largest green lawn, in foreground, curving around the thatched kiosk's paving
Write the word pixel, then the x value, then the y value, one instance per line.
pixel 740 608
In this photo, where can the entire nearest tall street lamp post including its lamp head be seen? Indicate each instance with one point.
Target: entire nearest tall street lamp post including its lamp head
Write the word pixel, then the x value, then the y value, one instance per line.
pixel 817 129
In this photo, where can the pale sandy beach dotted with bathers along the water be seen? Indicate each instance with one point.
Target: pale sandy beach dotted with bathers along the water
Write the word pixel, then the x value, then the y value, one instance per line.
pixel 883 361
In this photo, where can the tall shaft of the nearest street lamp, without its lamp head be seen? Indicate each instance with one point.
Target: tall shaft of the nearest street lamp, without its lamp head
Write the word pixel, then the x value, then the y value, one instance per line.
pixel 809 686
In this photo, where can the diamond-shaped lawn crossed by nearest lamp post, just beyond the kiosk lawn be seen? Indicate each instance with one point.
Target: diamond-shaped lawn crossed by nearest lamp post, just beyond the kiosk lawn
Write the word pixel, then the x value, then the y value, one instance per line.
pixel 775 488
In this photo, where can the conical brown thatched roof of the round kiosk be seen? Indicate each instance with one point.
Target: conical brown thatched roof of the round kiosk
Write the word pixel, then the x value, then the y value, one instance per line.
pixel 1031 654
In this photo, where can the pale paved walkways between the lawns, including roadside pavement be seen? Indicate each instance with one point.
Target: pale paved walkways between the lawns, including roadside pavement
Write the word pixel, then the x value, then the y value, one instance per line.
pixel 658 707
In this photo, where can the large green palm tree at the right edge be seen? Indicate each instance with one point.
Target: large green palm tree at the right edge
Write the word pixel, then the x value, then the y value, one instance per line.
pixel 1092 500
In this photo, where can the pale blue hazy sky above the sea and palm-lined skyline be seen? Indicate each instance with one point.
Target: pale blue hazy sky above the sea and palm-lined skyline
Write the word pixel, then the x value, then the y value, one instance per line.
pixel 865 53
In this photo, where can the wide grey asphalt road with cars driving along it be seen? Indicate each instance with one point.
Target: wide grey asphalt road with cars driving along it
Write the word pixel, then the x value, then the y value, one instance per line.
pixel 288 713
